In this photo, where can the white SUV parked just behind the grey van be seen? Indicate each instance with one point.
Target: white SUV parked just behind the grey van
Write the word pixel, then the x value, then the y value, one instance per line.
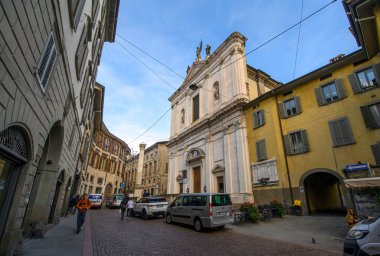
pixel 150 206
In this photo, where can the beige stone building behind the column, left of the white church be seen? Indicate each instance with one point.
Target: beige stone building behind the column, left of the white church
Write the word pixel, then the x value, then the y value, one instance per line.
pixel 154 173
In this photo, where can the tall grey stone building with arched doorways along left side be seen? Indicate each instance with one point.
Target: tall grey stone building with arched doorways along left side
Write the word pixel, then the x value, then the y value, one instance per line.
pixel 49 54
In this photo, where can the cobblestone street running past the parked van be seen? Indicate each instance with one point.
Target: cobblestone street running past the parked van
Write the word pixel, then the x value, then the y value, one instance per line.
pixel 155 237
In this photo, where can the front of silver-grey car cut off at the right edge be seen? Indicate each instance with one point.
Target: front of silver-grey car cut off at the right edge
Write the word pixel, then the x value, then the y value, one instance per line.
pixel 363 238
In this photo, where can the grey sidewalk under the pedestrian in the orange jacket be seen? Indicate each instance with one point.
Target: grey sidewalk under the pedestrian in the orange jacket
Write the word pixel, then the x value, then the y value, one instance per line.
pixel 61 240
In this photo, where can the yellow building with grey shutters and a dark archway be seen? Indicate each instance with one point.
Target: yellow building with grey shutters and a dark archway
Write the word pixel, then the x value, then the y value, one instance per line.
pixel 304 134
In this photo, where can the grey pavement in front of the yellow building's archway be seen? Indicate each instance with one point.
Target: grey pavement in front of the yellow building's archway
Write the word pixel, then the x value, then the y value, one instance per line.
pixel 328 231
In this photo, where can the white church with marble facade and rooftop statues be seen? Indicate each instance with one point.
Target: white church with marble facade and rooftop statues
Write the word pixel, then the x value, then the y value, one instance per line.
pixel 208 150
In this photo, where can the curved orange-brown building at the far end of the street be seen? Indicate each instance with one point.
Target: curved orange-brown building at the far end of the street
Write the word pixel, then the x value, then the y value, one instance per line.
pixel 106 167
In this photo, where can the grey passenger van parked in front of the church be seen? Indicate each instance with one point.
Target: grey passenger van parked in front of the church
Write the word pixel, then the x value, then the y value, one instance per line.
pixel 206 210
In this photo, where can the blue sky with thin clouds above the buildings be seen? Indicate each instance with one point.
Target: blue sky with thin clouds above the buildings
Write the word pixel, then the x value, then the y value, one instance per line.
pixel 170 31
